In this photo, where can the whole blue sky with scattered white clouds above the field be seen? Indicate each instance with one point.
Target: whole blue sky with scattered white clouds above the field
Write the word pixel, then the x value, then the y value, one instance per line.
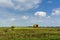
pixel 29 12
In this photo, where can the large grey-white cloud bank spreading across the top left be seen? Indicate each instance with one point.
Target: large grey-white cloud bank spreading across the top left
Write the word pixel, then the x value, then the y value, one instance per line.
pixel 20 4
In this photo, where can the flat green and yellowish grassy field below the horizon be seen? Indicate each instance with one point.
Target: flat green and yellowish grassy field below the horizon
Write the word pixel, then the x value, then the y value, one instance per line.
pixel 30 34
